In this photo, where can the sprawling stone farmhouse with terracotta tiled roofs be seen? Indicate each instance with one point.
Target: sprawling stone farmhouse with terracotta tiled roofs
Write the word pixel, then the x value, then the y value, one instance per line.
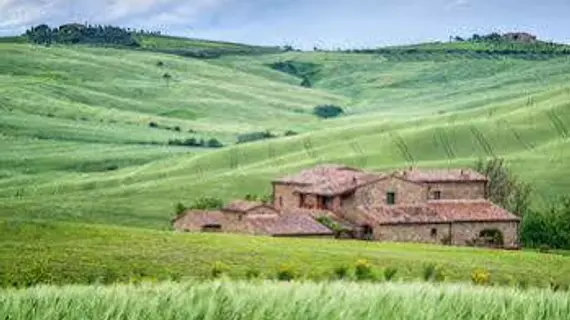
pixel 440 206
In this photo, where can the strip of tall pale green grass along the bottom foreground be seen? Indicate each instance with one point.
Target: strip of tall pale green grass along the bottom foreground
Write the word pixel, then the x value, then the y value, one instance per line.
pixel 271 300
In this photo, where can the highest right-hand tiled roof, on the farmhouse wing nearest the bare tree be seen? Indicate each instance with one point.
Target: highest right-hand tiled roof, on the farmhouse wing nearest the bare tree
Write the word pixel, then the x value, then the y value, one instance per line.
pixel 441 175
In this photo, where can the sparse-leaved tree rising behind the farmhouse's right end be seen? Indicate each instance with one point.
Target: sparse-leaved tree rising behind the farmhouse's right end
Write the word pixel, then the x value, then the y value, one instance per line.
pixel 504 188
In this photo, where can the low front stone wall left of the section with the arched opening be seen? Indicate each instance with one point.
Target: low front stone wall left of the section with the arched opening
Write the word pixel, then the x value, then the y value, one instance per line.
pixel 420 233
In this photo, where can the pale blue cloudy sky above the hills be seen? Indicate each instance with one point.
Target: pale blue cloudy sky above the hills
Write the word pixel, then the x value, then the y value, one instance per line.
pixel 302 23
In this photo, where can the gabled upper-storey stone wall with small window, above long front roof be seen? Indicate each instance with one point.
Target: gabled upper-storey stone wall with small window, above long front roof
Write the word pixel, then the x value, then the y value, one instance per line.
pixel 406 192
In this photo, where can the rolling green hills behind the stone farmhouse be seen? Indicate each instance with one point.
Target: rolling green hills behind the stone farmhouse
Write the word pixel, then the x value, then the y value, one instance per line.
pixel 91 133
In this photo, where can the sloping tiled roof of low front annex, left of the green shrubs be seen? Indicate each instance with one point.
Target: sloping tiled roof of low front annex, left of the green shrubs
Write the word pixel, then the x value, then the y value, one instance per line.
pixel 281 225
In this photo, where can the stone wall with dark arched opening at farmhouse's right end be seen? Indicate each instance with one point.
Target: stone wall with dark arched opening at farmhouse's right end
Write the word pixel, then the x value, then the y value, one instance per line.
pixel 462 232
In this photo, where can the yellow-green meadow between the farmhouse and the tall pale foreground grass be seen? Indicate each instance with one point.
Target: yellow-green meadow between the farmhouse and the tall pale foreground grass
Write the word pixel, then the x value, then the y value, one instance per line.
pixel 41 252
